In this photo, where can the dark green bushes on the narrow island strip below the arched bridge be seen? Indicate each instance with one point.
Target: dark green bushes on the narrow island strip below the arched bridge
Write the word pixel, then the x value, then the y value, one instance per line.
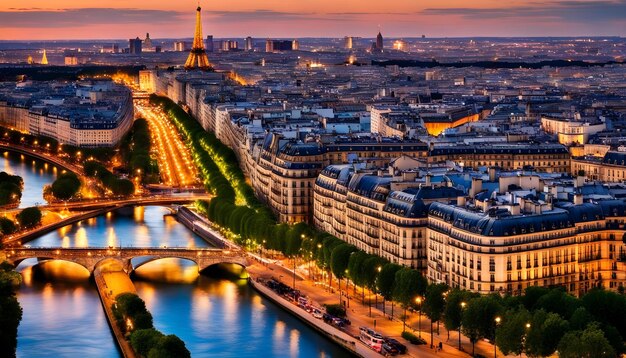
pixel 134 319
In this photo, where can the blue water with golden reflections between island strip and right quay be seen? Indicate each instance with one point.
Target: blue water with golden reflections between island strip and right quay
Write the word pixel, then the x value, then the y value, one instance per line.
pixel 217 316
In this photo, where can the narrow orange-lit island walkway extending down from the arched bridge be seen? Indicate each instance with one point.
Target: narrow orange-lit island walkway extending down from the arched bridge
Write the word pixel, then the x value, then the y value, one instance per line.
pixel 112 281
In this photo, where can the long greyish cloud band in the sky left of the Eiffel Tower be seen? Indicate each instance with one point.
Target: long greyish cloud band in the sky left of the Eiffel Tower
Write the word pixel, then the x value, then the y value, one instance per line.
pixel 60 18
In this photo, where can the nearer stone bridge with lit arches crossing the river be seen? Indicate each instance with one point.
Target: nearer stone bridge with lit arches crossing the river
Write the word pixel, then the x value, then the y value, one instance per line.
pixel 91 257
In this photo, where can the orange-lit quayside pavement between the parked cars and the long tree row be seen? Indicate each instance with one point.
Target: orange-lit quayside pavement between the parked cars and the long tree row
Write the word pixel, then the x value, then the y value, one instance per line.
pixel 359 313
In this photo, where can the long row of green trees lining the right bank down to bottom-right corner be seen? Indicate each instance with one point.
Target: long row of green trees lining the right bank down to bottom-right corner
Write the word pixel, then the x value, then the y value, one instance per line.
pixel 535 314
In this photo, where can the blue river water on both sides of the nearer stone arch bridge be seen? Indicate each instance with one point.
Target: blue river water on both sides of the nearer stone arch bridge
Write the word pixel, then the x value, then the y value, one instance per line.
pixel 215 314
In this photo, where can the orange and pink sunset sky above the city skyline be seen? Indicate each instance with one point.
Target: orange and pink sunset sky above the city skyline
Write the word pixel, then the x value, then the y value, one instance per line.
pixel 123 19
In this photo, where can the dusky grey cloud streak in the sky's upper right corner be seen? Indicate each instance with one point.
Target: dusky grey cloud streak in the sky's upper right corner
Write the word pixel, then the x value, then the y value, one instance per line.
pixel 580 11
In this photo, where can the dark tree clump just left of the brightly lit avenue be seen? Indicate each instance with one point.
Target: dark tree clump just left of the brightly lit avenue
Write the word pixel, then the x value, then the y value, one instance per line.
pixel 135 151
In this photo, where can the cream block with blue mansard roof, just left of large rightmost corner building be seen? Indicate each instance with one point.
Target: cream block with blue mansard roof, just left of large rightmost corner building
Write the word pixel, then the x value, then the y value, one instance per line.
pixel 381 213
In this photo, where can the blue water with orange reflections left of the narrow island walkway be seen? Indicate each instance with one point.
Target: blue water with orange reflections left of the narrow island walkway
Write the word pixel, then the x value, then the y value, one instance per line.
pixel 62 313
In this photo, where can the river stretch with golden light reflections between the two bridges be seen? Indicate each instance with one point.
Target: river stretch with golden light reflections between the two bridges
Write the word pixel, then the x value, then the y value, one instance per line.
pixel 138 227
